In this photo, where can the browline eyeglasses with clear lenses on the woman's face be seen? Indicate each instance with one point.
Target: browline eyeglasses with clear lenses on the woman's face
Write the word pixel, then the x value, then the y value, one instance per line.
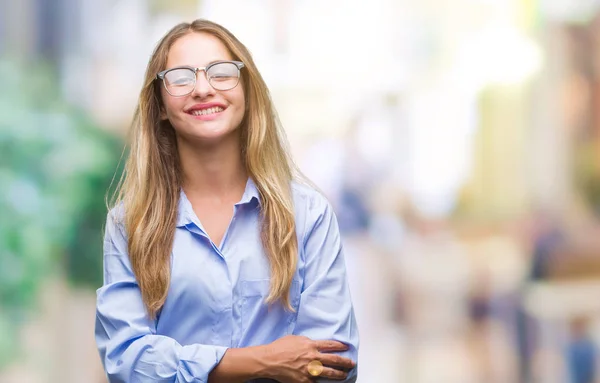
pixel 181 81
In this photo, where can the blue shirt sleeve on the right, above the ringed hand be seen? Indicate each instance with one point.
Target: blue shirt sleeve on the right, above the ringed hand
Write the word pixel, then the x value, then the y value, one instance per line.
pixel 325 310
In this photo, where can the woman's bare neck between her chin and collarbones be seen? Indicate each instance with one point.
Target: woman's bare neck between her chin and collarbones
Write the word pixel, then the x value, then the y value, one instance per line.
pixel 213 171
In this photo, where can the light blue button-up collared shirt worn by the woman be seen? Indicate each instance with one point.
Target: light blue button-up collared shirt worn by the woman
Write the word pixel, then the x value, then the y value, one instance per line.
pixel 216 296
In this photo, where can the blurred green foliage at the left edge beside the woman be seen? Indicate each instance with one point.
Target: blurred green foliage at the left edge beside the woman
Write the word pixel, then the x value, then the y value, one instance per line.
pixel 55 167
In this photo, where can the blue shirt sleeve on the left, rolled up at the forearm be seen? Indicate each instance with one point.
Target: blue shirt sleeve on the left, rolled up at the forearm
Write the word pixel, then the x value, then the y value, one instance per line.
pixel 126 338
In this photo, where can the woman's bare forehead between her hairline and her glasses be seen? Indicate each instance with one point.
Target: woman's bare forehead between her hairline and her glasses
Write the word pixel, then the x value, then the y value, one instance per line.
pixel 198 50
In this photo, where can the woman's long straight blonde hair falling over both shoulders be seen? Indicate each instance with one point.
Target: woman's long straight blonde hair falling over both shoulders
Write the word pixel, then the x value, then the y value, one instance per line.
pixel 149 188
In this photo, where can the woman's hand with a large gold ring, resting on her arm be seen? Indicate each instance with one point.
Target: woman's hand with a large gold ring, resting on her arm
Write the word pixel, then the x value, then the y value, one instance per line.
pixel 287 359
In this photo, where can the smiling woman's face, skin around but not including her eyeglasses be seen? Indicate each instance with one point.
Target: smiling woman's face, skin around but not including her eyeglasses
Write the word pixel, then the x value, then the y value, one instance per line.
pixel 205 114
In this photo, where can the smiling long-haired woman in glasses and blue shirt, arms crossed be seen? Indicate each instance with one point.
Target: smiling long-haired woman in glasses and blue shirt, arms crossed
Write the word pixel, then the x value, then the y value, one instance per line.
pixel 218 266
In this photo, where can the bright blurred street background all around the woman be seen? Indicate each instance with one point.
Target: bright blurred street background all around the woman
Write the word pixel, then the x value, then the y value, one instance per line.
pixel 459 142
